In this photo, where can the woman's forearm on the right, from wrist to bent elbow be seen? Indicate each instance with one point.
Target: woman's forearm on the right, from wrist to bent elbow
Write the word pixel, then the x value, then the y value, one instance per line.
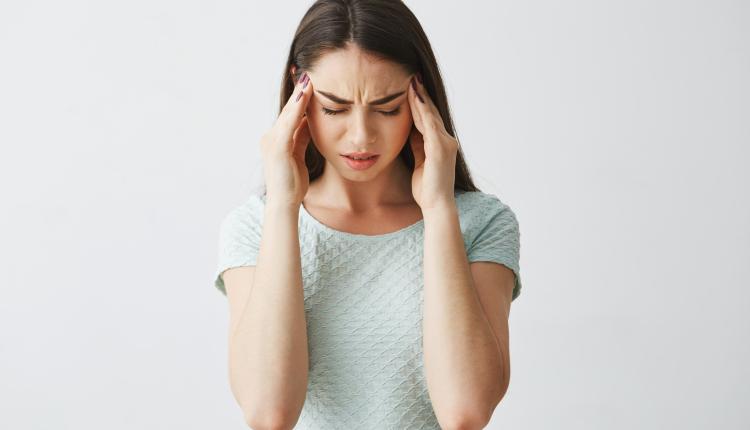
pixel 462 359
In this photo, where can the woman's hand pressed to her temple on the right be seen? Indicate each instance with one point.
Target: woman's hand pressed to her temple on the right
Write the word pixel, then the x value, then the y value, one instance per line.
pixel 434 151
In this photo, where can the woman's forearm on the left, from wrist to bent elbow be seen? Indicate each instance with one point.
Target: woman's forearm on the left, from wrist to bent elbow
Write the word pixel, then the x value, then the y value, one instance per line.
pixel 268 348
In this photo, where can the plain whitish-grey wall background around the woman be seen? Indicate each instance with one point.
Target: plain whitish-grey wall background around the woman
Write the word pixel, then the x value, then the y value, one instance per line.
pixel 617 131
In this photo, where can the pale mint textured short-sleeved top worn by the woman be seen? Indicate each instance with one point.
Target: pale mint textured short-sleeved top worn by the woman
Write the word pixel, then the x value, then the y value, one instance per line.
pixel 363 307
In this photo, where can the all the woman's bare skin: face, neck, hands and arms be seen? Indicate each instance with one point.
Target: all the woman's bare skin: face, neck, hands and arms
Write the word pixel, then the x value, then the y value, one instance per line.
pixel 466 356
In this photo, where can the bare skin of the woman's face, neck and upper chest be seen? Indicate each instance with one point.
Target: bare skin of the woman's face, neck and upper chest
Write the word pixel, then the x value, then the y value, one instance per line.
pixel 379 199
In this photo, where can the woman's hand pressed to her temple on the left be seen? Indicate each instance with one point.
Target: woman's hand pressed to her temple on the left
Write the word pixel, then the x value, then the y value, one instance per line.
pixel 283 149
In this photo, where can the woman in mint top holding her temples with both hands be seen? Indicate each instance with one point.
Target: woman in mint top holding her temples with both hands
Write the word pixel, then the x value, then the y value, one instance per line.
pixel 381 277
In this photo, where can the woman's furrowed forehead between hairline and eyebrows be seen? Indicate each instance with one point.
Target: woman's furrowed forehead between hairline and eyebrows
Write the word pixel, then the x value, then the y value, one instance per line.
pixel 352 72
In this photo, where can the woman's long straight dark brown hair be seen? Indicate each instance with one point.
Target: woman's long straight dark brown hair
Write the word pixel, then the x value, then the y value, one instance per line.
pixel 383 28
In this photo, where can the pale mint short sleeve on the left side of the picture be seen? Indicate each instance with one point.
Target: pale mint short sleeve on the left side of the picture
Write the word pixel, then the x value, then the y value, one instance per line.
pixel 239 240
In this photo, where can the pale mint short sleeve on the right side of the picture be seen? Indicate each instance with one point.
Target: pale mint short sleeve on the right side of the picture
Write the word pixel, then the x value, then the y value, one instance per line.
pixel 498 237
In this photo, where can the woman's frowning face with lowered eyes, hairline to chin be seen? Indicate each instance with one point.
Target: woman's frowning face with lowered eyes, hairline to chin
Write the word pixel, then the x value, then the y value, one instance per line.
pixel 347 112
